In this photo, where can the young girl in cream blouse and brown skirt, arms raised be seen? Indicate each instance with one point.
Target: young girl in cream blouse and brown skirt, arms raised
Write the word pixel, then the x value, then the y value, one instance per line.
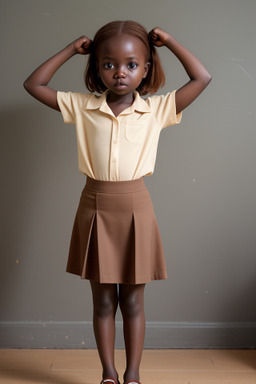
pixel 115 241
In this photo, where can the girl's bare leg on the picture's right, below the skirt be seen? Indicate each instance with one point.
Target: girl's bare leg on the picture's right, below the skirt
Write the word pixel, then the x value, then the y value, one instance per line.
pixel 131 301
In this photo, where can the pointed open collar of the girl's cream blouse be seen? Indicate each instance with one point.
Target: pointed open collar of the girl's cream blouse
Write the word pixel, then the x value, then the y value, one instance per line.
pixel 100 102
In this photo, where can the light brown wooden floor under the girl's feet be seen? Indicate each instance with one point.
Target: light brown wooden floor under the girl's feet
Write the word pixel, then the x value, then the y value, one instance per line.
pixel 158 366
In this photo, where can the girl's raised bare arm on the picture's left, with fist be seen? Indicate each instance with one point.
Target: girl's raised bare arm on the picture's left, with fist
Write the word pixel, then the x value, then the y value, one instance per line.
pixel 37 83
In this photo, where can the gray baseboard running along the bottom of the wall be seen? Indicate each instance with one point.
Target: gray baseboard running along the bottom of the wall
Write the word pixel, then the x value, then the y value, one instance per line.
pixel 158 335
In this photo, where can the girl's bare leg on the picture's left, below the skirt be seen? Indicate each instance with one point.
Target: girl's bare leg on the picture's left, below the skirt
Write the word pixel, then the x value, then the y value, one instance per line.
pixel 105 302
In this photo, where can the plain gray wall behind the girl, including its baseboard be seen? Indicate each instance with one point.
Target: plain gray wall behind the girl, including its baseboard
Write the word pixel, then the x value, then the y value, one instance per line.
pixel 203 189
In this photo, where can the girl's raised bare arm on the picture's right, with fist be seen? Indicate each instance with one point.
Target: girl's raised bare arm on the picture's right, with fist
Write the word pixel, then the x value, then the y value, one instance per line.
pixel 198 74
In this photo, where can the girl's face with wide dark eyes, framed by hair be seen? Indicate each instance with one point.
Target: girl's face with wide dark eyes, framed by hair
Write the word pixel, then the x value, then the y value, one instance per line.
pixel 122 63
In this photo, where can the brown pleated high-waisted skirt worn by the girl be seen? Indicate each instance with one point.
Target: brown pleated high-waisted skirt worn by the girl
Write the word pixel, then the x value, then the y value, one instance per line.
pixel 115 236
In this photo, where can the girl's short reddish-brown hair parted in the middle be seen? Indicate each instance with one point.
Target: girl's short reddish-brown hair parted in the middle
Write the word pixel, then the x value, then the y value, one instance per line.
pixel 155 78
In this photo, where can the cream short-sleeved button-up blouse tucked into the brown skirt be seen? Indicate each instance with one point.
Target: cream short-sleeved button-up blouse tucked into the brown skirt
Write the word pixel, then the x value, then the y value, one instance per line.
pixel 117 148
